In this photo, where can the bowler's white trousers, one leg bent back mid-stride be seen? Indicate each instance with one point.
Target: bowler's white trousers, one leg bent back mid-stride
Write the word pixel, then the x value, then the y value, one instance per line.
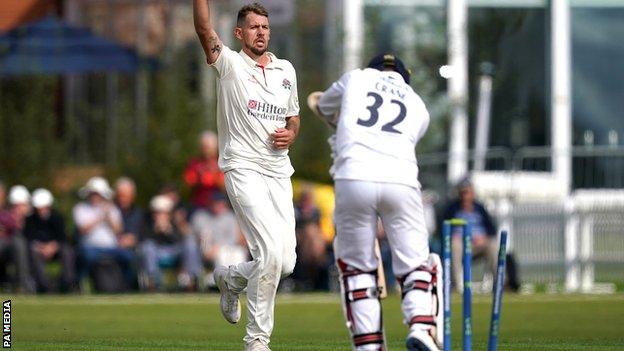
pixel 265 212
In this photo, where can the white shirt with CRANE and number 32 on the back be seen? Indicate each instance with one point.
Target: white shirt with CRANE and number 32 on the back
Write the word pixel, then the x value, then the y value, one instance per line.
pixel 380 120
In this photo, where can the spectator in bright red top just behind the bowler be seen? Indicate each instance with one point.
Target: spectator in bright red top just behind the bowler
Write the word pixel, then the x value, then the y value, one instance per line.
pixel 202 173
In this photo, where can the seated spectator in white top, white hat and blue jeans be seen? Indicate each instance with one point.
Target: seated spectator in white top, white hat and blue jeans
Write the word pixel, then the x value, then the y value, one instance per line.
pixel 99 222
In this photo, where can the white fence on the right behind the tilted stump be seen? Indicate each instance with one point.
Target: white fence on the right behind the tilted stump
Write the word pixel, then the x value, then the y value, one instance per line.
pixel 577 243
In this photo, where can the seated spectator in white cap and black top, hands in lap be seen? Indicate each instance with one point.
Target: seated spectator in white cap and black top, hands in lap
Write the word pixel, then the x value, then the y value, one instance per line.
pixel 47 241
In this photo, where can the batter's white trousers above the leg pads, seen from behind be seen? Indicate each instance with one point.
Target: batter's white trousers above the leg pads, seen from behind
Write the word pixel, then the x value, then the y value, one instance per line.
pixel 359 204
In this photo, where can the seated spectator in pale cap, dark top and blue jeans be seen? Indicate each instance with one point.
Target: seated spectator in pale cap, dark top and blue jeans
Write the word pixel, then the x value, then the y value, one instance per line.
pixel 165 243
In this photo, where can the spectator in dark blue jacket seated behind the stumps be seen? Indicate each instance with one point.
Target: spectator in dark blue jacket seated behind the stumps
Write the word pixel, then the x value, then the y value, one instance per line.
pixel 484 242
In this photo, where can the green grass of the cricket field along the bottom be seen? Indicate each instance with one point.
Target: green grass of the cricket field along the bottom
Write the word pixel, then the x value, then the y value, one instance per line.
pixel 304 322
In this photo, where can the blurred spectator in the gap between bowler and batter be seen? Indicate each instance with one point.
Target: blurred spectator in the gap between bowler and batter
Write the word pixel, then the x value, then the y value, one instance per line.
pixel 312 265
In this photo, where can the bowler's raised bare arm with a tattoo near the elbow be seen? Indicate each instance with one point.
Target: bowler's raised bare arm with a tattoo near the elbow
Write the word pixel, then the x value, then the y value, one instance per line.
pixel 203 26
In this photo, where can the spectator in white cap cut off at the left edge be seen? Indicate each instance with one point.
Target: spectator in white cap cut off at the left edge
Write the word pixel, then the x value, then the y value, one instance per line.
pixel 13 248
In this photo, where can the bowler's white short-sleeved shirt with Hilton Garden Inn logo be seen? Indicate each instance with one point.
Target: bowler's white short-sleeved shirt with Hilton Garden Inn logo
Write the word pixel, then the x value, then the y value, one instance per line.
pixel 253 101
